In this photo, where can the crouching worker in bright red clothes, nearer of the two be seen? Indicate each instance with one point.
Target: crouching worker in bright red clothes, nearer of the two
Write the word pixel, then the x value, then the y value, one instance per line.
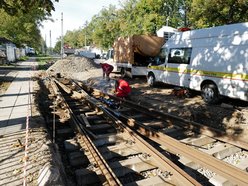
pixel 122 88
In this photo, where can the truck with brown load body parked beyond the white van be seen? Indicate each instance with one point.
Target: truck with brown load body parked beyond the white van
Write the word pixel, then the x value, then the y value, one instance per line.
pixel 131 55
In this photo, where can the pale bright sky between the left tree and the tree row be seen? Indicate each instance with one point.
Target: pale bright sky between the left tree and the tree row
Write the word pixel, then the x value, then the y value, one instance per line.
pixel 75 14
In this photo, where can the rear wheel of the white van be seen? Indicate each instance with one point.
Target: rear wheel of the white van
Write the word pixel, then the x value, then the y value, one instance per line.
pixel 210 93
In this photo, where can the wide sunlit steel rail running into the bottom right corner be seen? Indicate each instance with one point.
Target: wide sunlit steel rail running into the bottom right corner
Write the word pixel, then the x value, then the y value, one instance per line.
pixel 228 171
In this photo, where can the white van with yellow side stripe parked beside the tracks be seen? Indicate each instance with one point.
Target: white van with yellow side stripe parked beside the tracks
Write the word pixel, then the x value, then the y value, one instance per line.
pixel 213 61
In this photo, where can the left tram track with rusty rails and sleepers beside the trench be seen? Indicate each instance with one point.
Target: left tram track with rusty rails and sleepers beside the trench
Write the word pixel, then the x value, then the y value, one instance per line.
pixel 116 151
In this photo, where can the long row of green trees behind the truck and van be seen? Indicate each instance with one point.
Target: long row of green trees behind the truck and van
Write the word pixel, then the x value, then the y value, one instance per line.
pixel 147 16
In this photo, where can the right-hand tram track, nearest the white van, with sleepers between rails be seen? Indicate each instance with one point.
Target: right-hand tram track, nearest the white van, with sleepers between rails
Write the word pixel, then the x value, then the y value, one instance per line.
pixel 143 120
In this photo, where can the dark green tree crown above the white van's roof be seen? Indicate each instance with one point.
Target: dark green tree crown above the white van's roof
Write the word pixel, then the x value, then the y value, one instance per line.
pixel 218 12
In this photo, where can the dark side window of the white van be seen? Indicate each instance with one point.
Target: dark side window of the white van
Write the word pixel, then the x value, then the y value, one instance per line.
pixel 180 55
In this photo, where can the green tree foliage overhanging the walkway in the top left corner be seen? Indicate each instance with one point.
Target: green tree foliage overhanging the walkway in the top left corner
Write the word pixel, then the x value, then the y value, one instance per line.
pixel 20 20
